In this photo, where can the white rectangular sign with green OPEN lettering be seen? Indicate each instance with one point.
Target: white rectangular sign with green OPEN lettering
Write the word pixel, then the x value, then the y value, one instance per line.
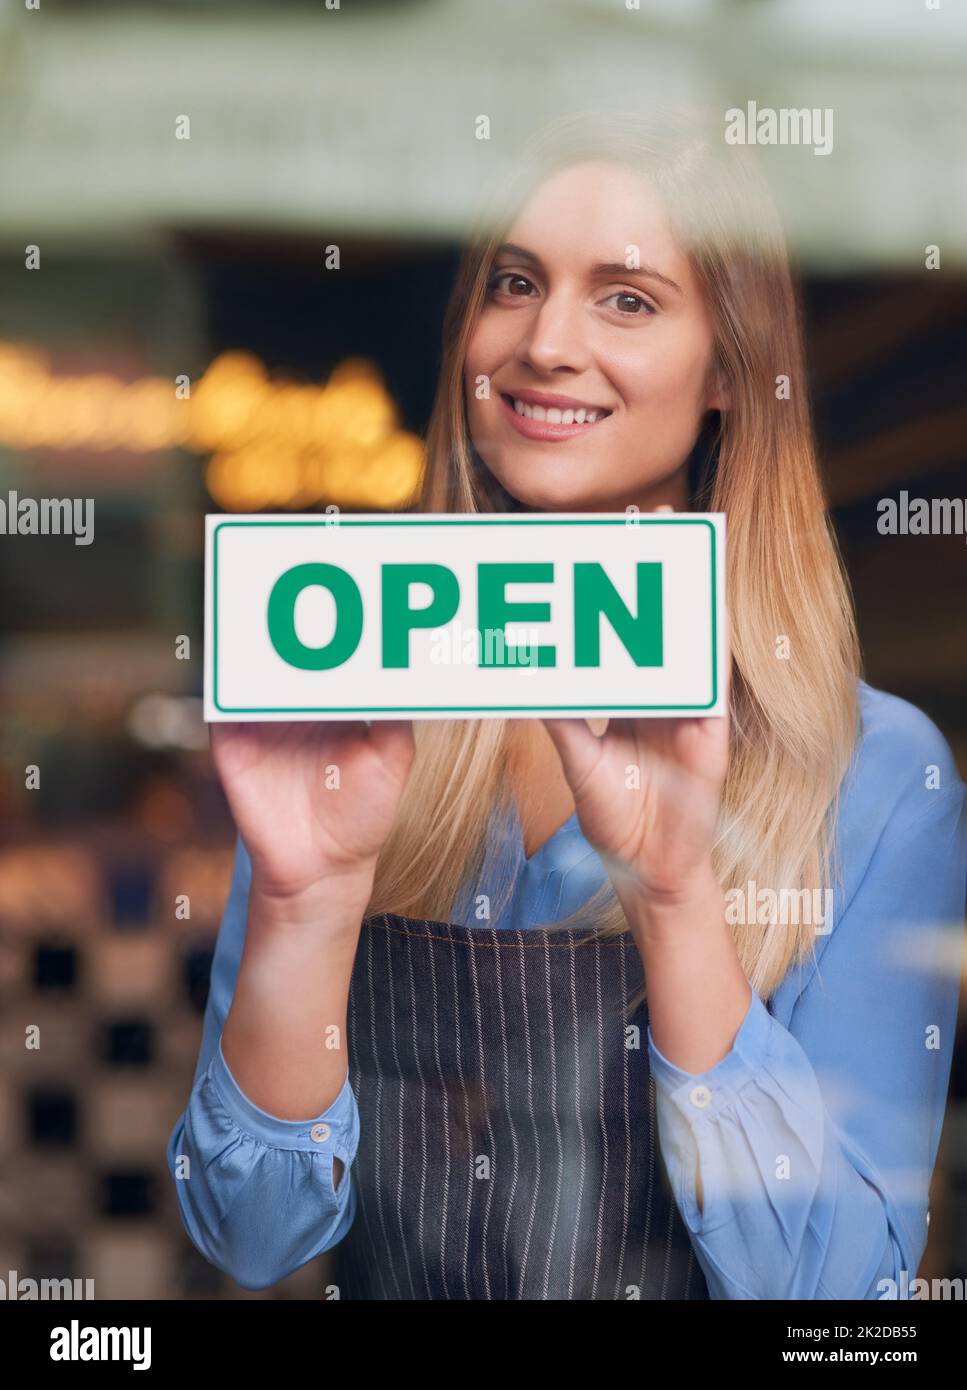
pixel 433 616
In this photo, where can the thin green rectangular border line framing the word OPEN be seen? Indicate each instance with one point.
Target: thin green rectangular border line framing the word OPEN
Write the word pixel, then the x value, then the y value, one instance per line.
pixel 466 710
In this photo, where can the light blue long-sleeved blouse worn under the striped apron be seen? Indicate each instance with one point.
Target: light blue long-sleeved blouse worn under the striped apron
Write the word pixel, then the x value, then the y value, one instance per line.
pixel 816 1135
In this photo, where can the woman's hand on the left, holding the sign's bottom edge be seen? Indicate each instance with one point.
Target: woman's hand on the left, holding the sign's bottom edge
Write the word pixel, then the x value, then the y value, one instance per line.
pixel 312 800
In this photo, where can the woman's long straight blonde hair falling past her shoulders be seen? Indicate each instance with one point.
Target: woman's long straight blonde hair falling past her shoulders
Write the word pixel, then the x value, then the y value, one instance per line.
pixel 794 721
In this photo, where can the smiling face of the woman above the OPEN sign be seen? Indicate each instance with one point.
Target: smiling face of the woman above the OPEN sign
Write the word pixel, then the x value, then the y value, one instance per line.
pixel 568 330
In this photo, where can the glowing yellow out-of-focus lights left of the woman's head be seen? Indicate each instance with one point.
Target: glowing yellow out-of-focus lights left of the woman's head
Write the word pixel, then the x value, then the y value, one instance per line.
pixel 273 443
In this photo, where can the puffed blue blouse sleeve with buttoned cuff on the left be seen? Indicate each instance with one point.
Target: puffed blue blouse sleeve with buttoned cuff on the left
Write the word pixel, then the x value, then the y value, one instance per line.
pixel 256 1193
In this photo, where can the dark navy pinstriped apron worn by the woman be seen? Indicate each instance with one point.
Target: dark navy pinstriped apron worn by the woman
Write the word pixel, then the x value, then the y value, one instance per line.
pixel 508 1121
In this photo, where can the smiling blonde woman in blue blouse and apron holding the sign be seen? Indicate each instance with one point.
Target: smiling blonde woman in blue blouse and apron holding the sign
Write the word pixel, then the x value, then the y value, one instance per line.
pixel 426 1042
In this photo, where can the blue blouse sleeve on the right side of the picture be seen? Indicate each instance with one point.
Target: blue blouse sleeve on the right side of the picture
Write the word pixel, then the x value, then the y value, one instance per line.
pixel 818 1142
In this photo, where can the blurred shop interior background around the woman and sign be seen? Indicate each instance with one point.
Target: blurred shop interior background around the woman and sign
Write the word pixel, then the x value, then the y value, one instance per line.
pixel 174 179
